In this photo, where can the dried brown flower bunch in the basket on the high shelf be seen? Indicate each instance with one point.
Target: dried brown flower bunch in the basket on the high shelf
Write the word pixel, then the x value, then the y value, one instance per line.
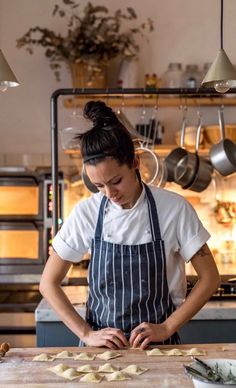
pixel 91 34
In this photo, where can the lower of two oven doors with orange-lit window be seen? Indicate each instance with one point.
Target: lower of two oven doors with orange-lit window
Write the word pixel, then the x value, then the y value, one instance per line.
pixel 22 247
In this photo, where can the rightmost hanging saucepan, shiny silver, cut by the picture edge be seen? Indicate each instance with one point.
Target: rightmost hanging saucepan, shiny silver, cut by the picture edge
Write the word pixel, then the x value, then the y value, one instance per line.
pixel 223 154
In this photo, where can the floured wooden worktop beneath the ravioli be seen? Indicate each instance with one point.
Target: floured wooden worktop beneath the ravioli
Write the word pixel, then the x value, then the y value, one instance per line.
pixel 17 369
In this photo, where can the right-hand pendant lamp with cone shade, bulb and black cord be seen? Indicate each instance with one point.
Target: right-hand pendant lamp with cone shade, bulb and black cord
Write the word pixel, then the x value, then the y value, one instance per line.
pixel 221 75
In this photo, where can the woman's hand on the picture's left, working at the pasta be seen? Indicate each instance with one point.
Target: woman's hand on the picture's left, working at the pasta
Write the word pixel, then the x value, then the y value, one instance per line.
pixel 110 337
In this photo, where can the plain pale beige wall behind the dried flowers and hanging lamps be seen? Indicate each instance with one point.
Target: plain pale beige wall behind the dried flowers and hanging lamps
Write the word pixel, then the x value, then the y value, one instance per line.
pixel 186 31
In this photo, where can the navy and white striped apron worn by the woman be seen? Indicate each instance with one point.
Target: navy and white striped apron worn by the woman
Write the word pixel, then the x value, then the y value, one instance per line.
pixel 128 283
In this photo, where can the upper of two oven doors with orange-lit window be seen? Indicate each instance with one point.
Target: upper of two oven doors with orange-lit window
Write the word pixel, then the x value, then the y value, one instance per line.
pixel 21 197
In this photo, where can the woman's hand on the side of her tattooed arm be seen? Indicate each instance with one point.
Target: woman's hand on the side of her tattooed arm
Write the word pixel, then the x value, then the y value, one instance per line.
pixel 145 333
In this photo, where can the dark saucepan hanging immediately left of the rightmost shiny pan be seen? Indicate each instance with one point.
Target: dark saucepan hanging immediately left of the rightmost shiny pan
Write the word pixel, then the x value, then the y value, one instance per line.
pixel 203 172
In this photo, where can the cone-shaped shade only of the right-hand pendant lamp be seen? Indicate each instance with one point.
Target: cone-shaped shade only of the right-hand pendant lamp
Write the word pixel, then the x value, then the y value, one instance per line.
pixel 221 70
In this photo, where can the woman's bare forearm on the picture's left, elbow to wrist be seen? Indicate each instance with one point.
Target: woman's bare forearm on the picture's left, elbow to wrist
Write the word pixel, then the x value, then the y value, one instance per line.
pixel 56 297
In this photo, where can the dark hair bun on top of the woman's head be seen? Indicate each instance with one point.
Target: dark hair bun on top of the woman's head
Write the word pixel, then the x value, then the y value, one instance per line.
pixel 100 114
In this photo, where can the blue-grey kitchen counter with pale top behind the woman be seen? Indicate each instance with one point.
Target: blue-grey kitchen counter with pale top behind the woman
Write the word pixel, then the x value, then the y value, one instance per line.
pixel 214 323
